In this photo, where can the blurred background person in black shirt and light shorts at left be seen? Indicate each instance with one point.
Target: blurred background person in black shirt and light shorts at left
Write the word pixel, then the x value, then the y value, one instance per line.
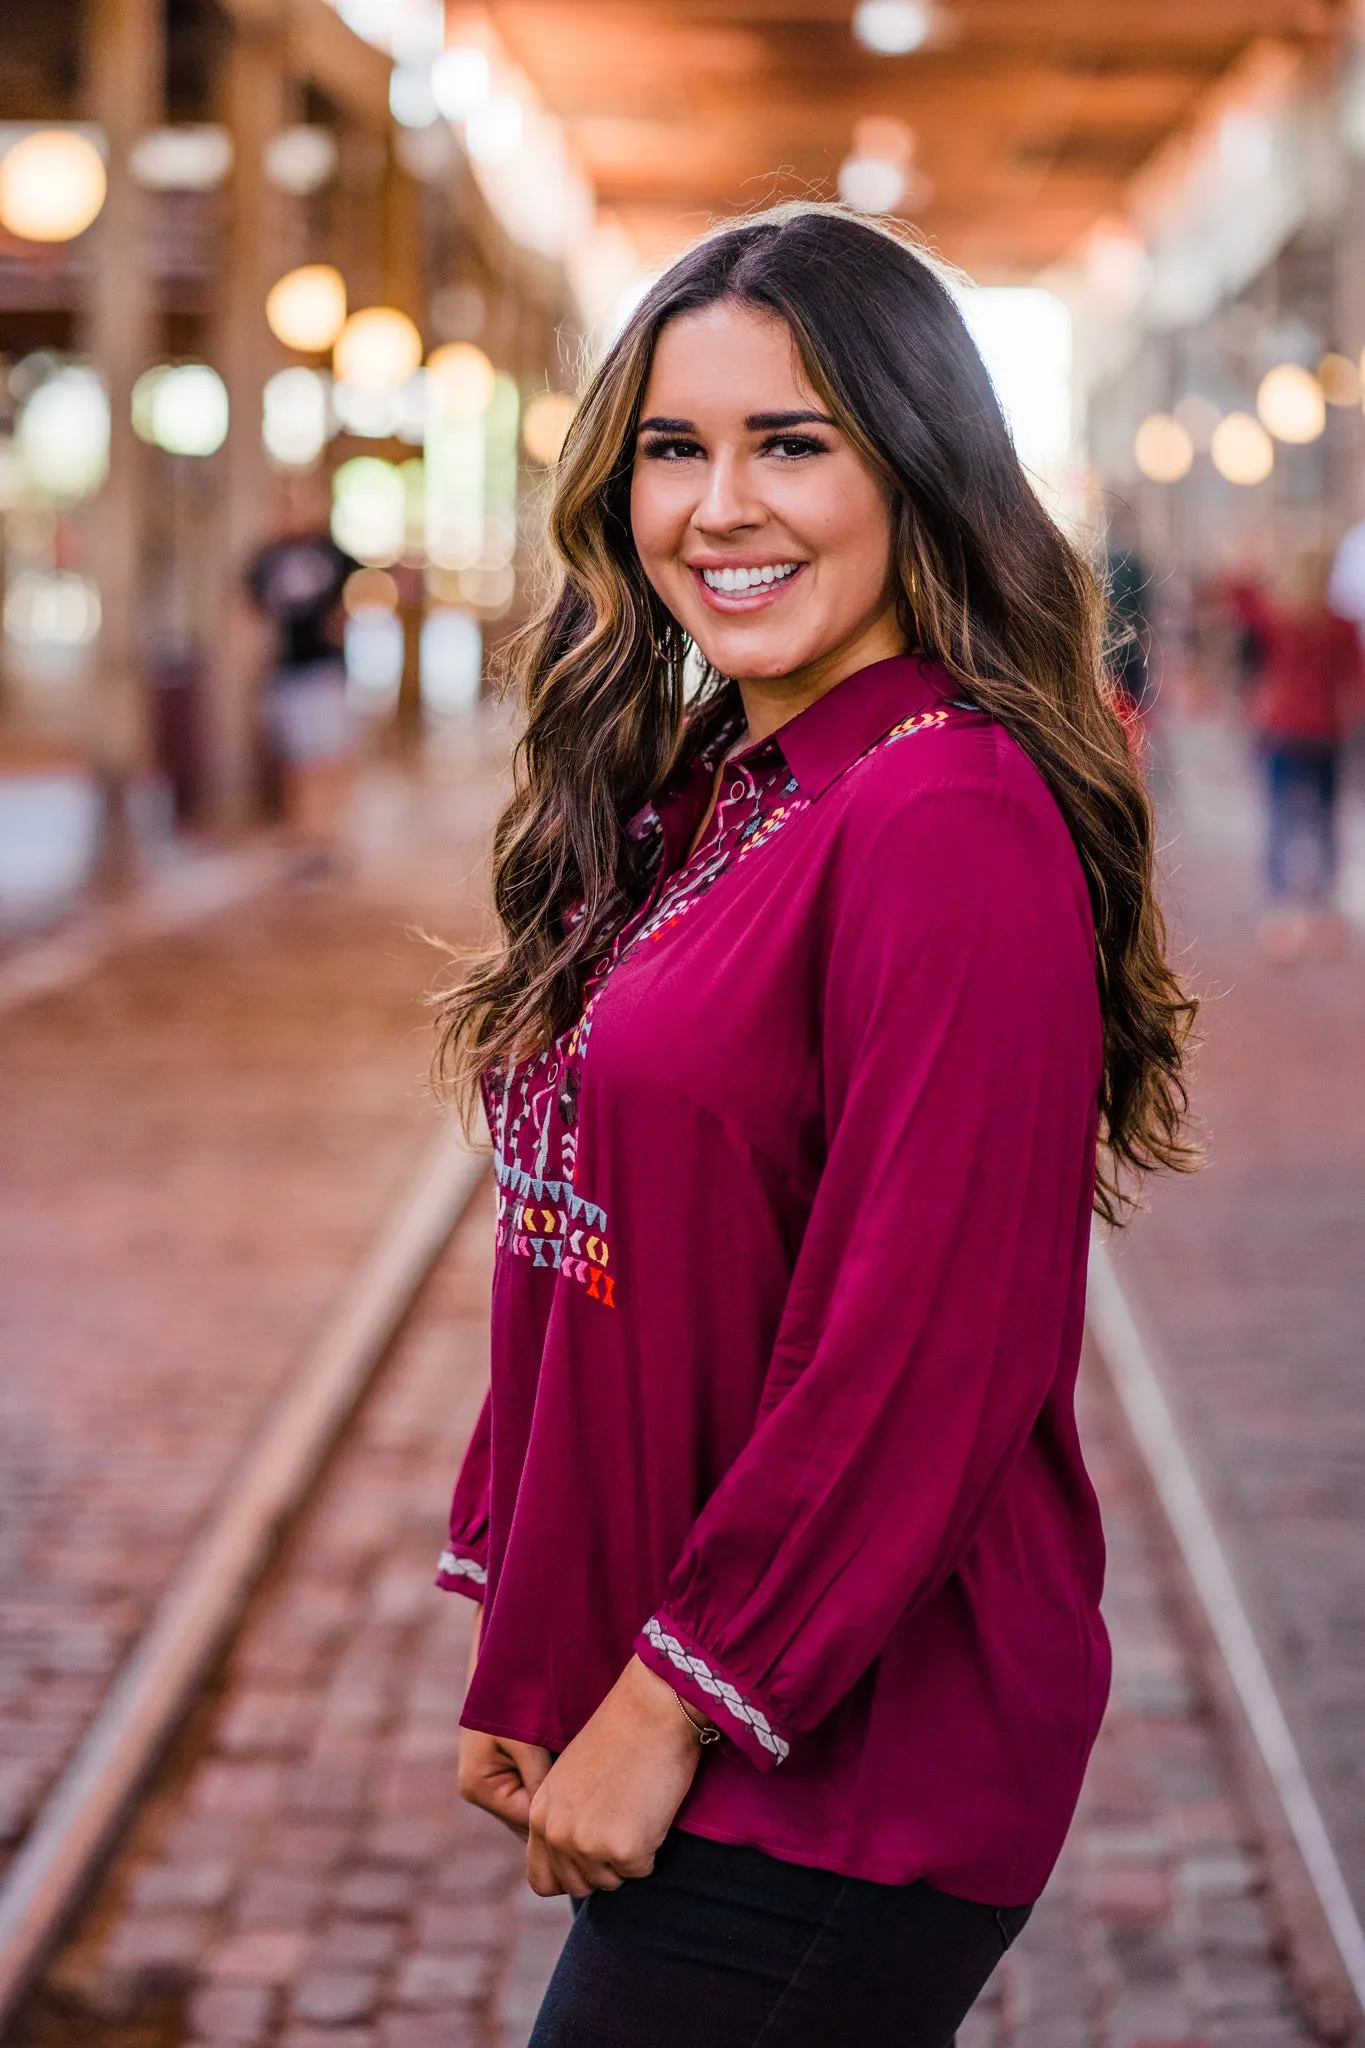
pixel 298 583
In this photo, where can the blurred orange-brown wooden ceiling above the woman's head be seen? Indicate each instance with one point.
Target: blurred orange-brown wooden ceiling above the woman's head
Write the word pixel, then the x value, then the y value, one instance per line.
pixel 1030 116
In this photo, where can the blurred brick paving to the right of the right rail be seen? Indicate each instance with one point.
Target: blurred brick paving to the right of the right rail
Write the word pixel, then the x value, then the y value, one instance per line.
pixel 1251 1275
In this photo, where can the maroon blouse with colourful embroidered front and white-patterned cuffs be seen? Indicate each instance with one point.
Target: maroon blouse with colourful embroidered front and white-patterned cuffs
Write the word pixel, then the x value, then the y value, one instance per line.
pixel 789 1302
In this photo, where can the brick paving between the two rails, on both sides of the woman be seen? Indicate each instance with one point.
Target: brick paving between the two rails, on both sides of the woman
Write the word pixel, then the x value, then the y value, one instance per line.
pixel 249 1910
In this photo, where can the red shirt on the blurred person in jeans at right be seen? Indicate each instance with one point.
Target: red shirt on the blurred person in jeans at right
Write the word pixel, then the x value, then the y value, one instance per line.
pixel 1311 683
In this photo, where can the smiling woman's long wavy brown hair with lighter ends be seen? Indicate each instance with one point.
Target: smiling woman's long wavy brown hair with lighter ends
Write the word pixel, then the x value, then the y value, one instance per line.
pixel 989 587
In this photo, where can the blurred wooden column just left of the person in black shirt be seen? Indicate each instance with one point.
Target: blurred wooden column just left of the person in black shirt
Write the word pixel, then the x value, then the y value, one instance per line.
pixel 257 103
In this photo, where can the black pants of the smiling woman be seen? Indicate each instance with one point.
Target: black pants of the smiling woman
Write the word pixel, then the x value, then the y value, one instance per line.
pixel 730 1949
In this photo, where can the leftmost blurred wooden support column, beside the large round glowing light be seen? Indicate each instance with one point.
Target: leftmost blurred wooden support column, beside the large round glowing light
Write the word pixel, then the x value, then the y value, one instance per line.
pixel 126 69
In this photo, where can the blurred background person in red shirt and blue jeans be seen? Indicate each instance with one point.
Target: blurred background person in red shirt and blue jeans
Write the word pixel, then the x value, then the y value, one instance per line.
pixel 1305 693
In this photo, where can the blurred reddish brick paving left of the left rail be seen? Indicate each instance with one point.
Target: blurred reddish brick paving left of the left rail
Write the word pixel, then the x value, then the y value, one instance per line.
pixel 197 1140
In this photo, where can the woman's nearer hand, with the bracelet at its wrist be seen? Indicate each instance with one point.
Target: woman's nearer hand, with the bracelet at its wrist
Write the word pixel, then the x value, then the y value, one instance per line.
pixel 611 1799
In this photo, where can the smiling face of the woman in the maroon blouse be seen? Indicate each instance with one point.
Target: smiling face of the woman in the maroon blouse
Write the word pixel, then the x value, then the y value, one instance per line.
pixel 756 521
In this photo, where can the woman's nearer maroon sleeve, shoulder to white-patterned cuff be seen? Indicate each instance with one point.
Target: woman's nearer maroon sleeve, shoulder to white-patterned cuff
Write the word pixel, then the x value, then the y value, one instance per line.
pixel 934 1285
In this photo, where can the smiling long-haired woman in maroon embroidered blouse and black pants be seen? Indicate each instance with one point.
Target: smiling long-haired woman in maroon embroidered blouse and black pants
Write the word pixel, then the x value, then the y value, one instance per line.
pixel 795 1050
